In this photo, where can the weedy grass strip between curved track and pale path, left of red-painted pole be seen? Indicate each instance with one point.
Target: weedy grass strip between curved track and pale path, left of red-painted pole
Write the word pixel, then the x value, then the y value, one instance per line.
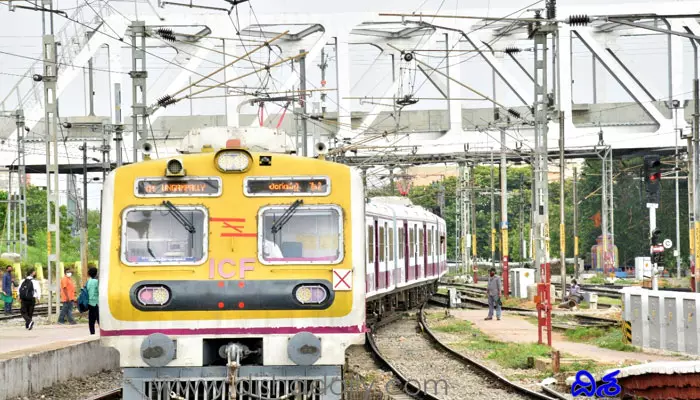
pixel 508 355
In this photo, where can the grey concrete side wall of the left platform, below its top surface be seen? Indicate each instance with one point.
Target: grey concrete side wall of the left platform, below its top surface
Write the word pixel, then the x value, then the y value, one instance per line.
pixel 29 374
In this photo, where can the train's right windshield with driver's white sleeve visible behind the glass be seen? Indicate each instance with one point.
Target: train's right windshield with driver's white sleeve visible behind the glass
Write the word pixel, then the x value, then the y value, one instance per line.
pixel 312 235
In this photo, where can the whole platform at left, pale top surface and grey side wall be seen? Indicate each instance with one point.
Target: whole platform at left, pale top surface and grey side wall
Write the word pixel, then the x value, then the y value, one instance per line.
pixel 48 354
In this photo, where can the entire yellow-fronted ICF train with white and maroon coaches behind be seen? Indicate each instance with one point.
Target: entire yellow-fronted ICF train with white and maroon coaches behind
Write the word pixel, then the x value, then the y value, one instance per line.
pixel 243 274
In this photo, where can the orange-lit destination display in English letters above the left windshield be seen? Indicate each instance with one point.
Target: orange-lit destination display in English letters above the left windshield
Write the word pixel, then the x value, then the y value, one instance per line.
pixel 187 187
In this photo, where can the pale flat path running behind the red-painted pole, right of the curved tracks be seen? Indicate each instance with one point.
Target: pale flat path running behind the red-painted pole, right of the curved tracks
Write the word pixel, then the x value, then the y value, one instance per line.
pixel 514 328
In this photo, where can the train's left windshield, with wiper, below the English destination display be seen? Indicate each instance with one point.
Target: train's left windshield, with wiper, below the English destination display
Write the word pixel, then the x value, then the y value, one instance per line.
pixel 157 236
